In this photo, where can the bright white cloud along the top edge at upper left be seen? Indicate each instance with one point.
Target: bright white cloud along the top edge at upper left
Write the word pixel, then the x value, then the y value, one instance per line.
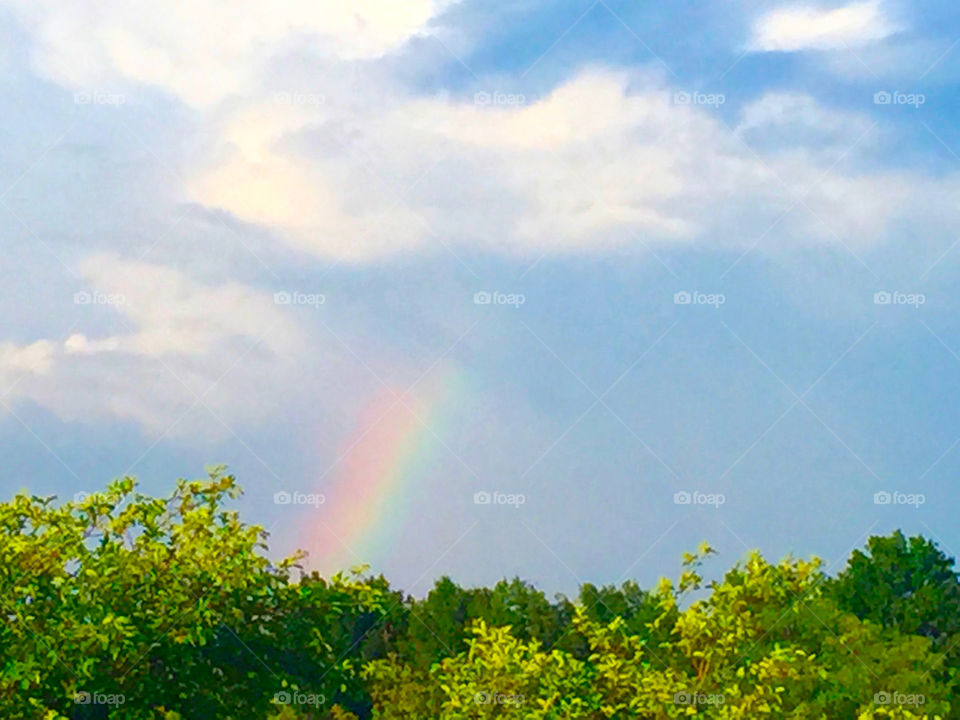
pixel 206 50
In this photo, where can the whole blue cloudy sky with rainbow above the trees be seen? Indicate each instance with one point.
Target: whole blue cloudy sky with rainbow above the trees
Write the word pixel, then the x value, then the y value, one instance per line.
pixel 550 290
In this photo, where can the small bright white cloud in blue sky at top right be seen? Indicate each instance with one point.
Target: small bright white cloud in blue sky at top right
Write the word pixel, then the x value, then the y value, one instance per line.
pixel 802 27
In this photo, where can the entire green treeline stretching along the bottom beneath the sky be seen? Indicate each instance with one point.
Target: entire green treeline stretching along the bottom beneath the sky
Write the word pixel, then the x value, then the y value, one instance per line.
pixel 128 606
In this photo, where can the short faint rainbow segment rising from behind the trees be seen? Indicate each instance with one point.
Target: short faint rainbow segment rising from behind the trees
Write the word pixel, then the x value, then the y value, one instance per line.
pixel 370 489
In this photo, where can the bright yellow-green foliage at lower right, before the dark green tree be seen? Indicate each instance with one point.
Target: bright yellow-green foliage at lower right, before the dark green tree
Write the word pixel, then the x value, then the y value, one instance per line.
pixel 765 642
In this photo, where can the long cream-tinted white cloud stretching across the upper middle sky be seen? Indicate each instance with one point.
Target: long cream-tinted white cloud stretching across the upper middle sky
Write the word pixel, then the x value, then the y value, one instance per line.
pixel 541 171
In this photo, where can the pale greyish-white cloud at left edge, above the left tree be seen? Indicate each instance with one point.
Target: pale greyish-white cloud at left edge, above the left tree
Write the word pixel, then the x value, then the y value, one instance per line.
pixel 227 344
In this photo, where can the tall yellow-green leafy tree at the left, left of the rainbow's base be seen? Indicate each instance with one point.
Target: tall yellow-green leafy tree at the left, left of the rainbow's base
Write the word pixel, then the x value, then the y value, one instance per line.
pixel 123 605
